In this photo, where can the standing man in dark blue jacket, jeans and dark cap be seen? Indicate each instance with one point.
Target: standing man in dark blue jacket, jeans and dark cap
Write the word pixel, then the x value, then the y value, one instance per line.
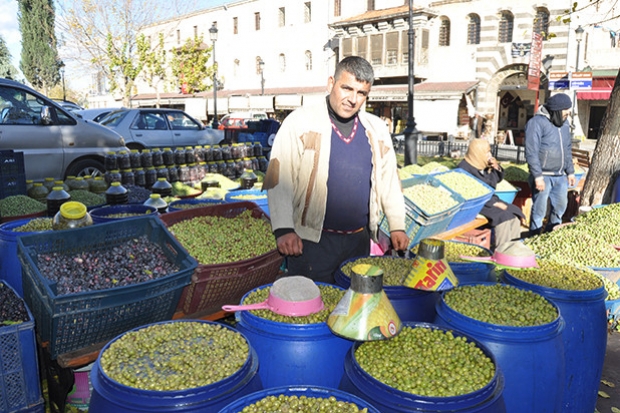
pixel 548 152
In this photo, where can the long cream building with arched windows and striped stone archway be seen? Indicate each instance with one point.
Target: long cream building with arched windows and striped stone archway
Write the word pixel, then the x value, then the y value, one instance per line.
pixel 471 59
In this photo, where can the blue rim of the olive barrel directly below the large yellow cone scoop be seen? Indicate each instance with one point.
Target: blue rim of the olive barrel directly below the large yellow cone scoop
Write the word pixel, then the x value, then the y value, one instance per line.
pixel 491 390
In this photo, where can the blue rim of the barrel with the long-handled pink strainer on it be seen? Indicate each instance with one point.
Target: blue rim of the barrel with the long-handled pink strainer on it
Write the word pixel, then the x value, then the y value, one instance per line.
pixel 268 325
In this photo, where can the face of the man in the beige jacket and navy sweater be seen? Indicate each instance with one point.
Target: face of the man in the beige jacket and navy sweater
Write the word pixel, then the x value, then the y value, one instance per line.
pixel 346 94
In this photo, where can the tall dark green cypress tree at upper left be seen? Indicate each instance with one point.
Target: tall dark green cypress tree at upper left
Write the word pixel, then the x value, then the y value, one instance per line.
pixel 39 60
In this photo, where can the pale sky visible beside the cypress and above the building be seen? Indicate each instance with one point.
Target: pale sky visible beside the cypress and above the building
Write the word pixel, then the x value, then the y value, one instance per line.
pixel 76 78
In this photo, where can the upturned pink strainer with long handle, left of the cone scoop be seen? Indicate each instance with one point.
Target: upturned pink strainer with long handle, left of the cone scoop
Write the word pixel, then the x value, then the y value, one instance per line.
pixel 295 295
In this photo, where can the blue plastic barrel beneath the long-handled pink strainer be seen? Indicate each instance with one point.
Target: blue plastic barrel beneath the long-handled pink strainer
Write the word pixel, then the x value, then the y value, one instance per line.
pixel 294 354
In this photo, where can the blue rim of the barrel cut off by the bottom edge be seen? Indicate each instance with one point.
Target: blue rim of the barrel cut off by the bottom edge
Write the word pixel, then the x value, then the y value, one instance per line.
pixel 299 391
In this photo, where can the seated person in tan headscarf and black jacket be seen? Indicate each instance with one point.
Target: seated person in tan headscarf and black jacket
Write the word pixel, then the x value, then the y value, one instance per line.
pixel 504 219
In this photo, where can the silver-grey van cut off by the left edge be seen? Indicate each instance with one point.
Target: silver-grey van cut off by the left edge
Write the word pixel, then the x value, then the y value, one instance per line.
pixel 55 142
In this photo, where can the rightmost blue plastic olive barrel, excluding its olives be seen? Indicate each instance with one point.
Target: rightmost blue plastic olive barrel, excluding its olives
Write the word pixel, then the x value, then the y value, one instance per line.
pixel 585 341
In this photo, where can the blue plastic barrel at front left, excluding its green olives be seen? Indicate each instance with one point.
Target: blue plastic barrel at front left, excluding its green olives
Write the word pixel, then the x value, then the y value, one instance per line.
pixel 111 396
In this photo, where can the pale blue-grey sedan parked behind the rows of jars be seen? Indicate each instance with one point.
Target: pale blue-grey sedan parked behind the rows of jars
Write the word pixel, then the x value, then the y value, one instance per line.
pixel 158 128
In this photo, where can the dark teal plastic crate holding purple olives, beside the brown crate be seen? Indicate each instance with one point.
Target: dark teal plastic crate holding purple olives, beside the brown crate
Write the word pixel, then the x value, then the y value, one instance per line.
pixel 74 321
